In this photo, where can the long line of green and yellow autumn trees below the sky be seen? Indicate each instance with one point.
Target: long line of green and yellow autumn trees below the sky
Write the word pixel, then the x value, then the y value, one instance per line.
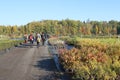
pixel 64 27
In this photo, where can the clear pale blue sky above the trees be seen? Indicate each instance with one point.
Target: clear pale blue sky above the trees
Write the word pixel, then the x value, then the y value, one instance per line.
pixel 21 12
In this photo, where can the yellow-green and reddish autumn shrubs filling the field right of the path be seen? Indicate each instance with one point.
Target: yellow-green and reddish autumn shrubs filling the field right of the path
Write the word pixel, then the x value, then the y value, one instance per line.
pixel 92 59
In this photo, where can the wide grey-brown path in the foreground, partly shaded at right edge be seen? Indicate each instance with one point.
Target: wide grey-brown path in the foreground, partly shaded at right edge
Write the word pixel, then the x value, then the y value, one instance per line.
pixel 28 63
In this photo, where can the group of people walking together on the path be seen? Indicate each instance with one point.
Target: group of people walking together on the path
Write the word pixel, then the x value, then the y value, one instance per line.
pixel 39 38
